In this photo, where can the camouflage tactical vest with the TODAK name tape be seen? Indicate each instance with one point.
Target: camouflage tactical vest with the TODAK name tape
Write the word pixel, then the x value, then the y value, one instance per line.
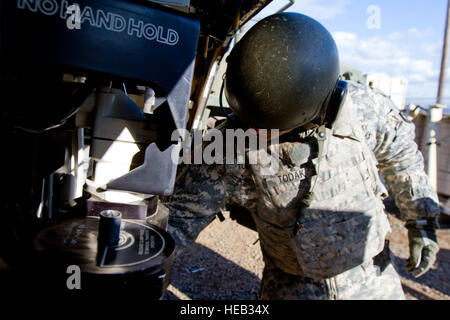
pixel 345 224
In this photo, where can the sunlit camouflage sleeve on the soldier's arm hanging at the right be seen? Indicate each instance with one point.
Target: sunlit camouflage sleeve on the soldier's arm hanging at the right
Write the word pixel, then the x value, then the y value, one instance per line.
pixel 399 160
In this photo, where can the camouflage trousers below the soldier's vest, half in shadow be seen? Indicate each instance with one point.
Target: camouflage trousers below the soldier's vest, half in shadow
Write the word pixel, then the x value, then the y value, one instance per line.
pixel 373 280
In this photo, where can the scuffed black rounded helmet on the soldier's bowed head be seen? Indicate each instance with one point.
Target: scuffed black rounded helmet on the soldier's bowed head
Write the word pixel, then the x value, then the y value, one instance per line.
pixel 282 73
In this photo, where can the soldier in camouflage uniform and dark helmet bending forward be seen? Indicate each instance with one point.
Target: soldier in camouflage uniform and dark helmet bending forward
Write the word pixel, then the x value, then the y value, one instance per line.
pixel 320 216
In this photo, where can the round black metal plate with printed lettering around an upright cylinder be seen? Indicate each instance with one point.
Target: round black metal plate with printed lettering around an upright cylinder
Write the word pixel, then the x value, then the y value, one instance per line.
pixel 141 247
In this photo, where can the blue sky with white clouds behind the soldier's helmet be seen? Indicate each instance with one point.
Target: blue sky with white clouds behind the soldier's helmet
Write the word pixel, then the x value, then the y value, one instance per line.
pixel 406 41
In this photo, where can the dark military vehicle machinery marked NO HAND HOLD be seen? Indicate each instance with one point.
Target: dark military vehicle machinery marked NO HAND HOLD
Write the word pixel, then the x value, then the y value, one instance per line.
pixel 91 93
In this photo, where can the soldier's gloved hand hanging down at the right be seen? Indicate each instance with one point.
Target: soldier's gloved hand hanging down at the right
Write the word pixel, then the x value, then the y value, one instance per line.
pixel 423 246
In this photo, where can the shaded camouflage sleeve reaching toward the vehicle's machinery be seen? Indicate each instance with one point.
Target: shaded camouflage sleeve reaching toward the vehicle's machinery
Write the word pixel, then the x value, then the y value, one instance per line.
pixel 198 196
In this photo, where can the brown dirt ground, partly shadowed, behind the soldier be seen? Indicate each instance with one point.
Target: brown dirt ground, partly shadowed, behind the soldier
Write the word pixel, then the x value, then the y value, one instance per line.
pixel 225 263
